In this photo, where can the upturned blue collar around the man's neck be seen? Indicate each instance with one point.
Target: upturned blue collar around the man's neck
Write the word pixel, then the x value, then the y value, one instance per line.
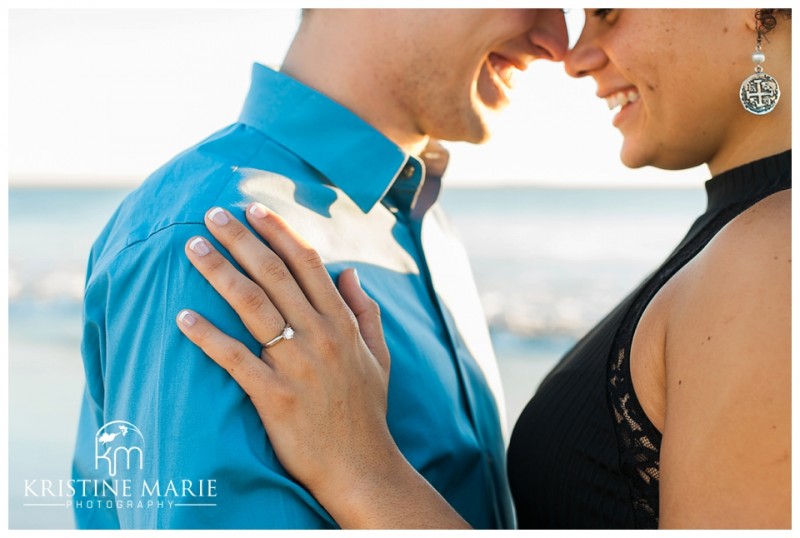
pixel 348 151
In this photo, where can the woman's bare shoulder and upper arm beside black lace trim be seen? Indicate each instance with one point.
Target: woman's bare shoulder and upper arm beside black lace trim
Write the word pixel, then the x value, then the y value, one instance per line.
pixel 726 451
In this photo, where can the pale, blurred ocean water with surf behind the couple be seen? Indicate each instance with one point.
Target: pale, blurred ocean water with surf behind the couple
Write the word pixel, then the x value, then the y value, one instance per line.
pixel 548 264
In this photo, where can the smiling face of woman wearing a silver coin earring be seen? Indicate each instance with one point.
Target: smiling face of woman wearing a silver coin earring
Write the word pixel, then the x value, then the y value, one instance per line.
pixel 671 77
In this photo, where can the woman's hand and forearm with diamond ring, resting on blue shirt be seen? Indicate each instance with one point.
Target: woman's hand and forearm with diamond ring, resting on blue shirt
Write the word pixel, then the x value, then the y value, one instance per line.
pixel 321 395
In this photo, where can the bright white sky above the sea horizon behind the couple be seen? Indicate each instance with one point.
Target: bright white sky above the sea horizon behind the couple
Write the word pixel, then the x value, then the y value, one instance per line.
pixel 102 97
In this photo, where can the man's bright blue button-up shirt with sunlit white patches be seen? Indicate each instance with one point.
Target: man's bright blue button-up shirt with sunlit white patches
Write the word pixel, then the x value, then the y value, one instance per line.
pixel 167 439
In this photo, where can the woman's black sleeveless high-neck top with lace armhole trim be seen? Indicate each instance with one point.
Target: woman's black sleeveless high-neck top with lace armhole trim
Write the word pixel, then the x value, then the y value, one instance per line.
pixel 583 453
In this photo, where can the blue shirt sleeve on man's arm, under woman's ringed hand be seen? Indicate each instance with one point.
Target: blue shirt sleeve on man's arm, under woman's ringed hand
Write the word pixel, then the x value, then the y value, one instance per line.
pixel 201 456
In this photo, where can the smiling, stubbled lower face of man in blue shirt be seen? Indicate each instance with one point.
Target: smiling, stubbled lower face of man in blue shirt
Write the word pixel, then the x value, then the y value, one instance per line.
pixel 452 68
